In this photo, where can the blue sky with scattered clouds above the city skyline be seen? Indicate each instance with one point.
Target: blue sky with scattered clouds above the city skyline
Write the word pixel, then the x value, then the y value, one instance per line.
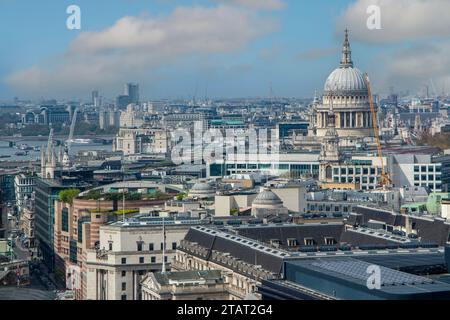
pixel 217 48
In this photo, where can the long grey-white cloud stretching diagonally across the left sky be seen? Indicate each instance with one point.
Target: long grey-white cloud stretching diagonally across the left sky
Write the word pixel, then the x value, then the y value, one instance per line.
pixel 136 47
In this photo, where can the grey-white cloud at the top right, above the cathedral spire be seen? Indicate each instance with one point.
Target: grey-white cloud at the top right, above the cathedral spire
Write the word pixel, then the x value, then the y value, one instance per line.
pixel 401 20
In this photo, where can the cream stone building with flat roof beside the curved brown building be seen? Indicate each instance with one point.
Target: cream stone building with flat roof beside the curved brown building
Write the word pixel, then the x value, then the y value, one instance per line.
pixel 127 252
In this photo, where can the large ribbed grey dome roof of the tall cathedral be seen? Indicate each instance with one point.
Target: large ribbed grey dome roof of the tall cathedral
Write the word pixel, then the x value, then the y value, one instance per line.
pixel 346 79
